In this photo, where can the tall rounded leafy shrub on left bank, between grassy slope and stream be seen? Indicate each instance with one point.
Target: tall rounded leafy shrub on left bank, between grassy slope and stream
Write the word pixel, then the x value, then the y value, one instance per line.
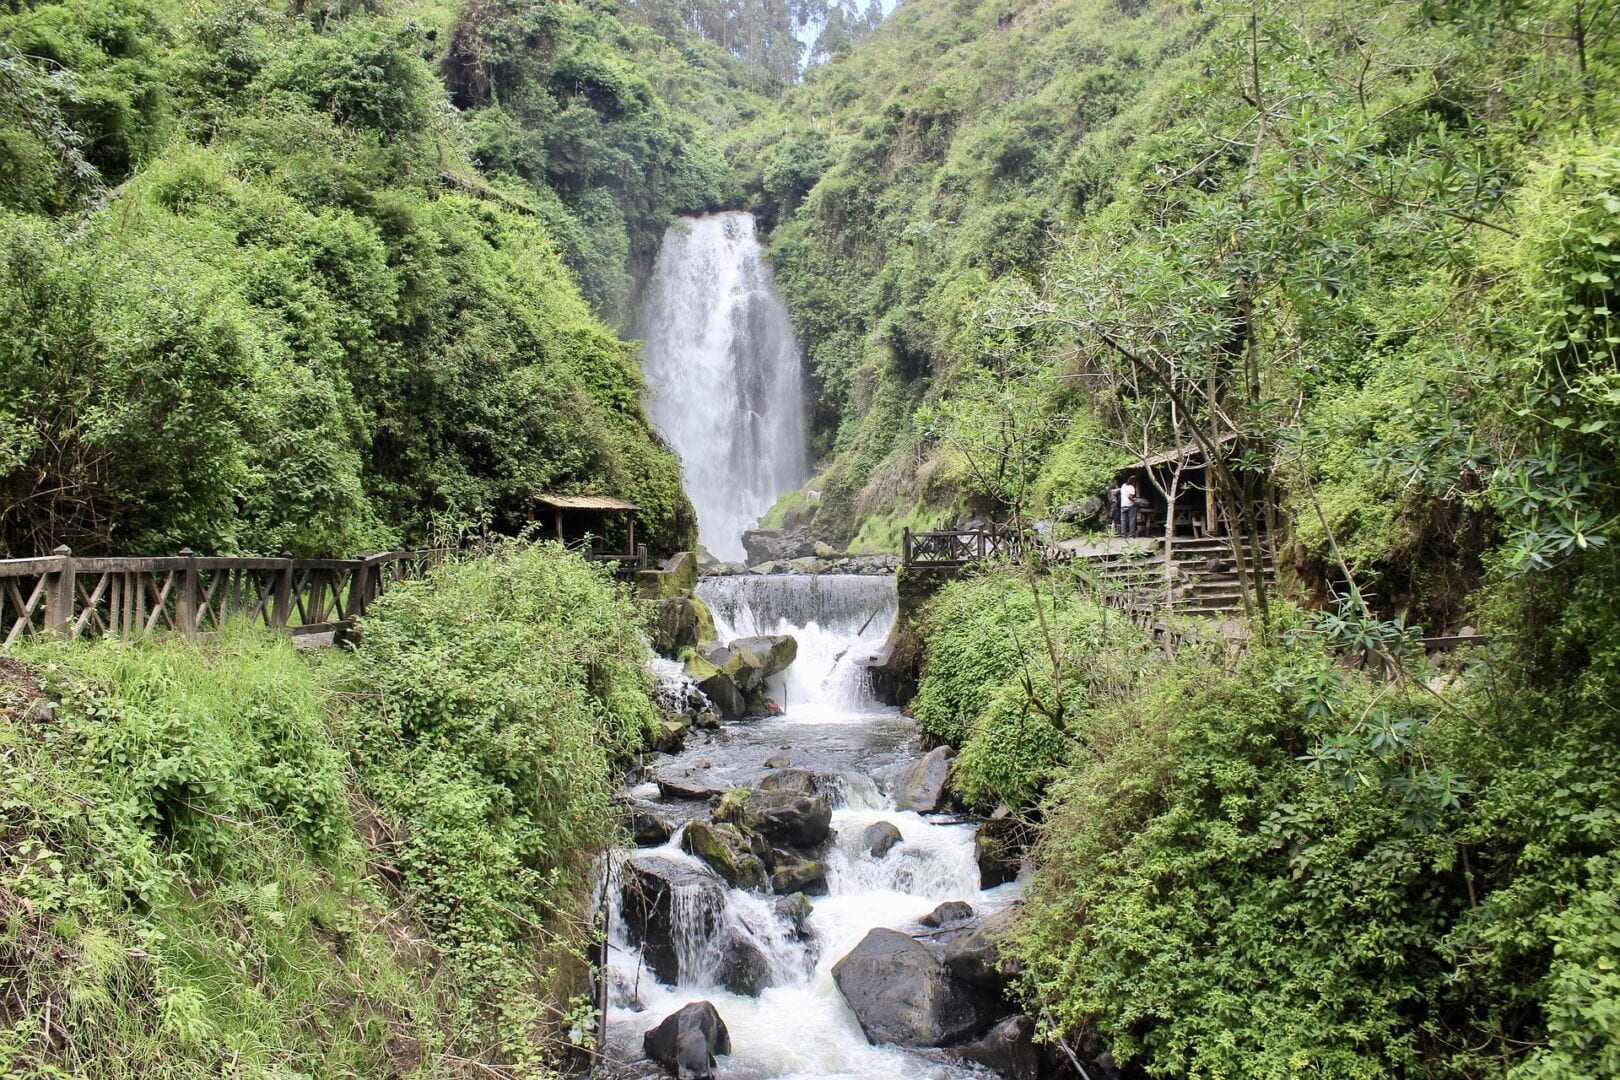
pixel 487 713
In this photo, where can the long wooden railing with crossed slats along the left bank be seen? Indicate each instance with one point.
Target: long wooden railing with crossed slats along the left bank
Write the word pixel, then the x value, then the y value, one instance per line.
pixel 192 595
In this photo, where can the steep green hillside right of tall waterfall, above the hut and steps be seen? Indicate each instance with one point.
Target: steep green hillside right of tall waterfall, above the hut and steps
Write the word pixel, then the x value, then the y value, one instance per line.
pixel 986 203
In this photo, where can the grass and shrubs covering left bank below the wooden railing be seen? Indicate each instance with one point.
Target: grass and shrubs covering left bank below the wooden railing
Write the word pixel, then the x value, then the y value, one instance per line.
pixel 232 859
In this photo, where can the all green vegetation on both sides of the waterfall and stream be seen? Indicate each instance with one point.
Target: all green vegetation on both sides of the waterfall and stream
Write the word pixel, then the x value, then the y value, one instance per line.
pixel 341 279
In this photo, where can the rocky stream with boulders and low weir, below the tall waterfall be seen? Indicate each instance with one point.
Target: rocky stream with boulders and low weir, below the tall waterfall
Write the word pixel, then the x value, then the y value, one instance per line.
pixel 806 901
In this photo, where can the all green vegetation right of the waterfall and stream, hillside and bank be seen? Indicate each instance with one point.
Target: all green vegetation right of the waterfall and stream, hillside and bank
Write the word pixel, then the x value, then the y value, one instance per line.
pixel 1376 249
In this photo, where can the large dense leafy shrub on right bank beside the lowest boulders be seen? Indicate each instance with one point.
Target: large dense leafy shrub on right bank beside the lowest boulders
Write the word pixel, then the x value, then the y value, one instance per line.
pixel 1216 908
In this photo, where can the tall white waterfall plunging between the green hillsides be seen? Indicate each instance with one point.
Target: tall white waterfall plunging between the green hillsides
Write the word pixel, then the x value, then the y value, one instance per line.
pixel 723 375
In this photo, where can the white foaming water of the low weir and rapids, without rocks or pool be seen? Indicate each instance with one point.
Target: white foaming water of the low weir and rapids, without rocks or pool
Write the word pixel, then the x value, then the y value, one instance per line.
pixel 799 1027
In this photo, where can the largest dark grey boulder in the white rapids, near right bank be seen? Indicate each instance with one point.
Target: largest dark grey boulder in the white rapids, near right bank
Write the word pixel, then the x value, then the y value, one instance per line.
pixel 902 993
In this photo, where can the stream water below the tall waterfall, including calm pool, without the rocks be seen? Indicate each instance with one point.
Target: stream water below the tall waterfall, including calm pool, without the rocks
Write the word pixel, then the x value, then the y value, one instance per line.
pixel 799 1026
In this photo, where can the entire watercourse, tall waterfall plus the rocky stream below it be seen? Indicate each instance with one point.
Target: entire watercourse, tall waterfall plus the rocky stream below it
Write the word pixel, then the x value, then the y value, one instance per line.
pixel 801 867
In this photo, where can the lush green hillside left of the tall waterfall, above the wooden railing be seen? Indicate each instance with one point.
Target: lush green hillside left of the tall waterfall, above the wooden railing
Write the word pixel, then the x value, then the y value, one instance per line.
pixel 255 296
